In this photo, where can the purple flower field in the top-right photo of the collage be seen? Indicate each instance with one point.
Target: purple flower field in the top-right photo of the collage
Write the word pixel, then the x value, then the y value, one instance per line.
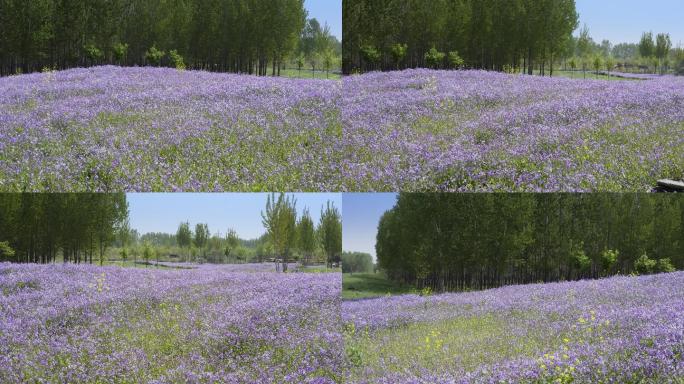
pixel 485 131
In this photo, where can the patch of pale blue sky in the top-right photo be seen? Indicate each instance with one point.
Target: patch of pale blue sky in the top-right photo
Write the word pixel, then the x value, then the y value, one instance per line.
pixel 623 21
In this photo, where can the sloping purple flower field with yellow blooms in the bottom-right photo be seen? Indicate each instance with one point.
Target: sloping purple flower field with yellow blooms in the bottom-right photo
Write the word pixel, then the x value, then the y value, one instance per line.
pixel 617 330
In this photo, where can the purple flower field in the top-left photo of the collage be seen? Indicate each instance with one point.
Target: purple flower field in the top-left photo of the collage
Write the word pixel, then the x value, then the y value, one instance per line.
pixel 160 129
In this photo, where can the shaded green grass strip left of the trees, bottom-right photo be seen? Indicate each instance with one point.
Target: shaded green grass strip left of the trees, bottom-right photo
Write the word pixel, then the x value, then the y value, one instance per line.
pixel 367 285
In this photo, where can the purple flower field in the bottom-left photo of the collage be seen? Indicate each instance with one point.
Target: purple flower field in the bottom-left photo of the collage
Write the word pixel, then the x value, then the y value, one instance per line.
pixel 68 324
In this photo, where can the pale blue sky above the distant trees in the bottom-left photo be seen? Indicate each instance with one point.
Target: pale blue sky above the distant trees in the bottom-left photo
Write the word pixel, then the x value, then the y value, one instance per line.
pixel 162 212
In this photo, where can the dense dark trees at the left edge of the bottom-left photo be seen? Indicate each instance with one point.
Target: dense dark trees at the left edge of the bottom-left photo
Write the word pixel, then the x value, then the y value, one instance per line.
pixel 37 228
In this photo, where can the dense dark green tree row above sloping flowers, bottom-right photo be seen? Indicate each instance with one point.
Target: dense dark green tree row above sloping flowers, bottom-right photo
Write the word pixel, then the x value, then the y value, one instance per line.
pixel 476 241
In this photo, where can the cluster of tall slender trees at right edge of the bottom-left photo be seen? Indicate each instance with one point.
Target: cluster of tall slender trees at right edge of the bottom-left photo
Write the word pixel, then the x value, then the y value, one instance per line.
pixel 287 233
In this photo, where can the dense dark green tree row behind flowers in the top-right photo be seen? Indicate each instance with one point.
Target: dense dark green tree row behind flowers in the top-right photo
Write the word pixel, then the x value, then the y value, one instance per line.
pixel 488 34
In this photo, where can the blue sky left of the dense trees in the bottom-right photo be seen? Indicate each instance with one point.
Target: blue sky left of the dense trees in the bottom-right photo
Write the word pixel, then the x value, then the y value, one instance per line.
pixel 362 213
